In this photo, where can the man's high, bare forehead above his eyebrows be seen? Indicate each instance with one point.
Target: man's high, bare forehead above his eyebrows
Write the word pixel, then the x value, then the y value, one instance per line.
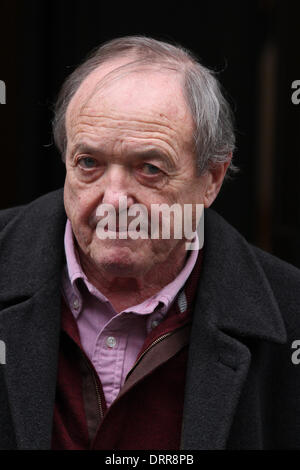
pixel 123 89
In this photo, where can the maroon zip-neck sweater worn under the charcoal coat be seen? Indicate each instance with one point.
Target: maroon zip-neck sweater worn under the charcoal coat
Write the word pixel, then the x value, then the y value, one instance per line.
pixel 147 414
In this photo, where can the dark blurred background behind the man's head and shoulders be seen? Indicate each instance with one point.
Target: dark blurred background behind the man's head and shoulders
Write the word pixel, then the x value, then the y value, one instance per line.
pixel 254 45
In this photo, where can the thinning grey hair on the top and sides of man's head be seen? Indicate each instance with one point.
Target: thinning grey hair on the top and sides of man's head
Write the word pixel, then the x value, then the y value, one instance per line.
pixel 214 137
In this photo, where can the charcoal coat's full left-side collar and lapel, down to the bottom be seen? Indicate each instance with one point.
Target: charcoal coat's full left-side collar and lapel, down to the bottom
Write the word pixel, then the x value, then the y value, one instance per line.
pixel 32 259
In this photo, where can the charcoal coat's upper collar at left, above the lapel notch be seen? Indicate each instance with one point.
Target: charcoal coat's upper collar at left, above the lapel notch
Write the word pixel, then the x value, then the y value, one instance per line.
pixel 31 247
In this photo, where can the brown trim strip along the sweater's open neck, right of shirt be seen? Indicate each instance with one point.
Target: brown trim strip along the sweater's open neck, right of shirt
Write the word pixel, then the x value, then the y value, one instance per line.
pixel 157 355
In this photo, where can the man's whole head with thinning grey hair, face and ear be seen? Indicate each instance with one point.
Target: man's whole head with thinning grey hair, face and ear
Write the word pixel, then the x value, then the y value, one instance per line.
pixel 140 119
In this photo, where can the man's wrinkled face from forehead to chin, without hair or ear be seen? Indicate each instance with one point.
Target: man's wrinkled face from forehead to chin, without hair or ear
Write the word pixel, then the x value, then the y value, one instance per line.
pixel 130 136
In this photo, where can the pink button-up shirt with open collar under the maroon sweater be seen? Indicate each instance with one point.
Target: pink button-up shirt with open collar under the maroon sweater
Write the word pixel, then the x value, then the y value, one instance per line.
pixel 113 340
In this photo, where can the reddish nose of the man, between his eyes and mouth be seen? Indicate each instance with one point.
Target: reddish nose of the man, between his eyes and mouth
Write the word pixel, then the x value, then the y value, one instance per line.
pixel 117 185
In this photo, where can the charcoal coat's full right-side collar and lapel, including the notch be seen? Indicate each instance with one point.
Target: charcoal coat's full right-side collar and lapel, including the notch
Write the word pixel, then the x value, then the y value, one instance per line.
pixel 234 302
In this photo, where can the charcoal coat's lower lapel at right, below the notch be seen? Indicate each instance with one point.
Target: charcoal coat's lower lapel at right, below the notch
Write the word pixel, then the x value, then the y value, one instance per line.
pixel 217 370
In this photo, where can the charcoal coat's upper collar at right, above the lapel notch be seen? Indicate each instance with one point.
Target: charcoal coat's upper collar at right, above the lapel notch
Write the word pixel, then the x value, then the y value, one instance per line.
pixel 233 288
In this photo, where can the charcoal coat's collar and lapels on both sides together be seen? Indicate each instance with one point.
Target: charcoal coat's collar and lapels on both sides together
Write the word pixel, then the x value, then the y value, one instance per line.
pixel 234 301
